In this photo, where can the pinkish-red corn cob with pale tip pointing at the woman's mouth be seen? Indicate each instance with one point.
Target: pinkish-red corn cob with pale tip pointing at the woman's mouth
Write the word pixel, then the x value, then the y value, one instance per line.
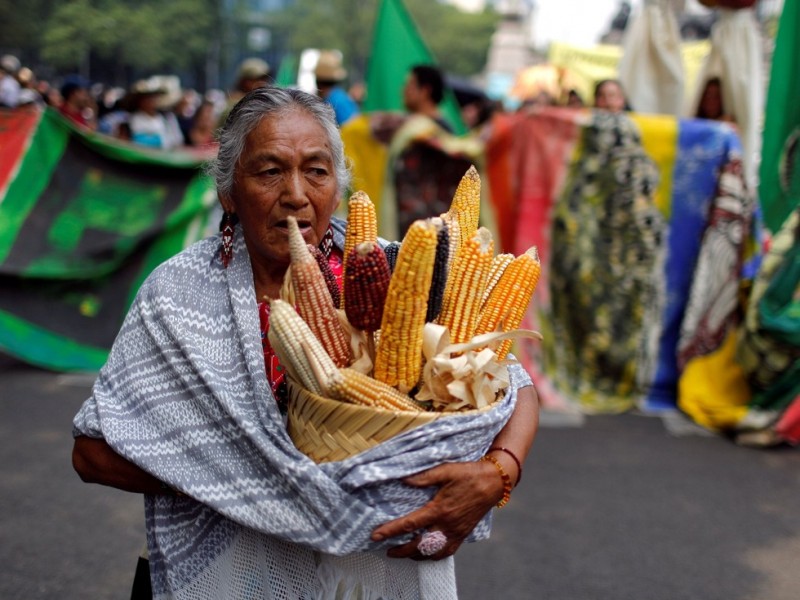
pixel 314 302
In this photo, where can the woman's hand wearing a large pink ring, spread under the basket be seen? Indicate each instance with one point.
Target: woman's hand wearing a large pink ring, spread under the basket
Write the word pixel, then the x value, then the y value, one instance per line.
pixel 467 491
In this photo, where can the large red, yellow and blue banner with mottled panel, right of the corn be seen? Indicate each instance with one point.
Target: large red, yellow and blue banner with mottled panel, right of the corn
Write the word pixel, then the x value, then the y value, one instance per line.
pixel 618 207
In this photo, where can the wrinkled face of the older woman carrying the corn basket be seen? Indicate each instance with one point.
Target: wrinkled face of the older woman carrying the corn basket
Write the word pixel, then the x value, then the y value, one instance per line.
pixel 286 169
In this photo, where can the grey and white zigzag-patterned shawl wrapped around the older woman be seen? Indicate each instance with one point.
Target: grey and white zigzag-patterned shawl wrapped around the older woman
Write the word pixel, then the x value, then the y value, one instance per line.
pixel 184 395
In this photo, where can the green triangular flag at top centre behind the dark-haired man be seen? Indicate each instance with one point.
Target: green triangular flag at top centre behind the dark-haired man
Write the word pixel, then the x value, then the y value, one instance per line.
pixel 396 47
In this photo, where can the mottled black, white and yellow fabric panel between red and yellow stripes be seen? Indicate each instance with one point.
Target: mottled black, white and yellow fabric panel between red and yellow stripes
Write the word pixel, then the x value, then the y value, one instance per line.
pixel 605 265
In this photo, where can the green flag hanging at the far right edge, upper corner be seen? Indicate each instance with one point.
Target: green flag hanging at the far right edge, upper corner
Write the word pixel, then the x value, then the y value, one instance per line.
pixel 779 185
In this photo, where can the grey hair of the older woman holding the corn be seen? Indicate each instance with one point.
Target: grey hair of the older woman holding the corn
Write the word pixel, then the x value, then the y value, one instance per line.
pixel 266 102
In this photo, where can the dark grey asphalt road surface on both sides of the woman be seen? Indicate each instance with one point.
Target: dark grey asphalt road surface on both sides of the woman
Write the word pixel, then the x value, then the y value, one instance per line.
pixel 612 508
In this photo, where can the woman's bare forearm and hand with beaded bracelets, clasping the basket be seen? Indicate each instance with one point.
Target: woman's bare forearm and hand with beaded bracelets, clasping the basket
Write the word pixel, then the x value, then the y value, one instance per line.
pixel 467 491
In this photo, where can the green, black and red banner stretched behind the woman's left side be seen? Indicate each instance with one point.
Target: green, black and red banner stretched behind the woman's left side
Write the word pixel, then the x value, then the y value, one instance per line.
pixel 83 220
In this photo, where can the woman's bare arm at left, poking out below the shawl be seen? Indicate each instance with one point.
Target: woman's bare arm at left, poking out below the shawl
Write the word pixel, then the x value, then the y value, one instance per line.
pixel 96 462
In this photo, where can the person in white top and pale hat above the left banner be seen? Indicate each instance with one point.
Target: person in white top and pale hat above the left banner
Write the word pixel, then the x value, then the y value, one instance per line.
pixel 148 125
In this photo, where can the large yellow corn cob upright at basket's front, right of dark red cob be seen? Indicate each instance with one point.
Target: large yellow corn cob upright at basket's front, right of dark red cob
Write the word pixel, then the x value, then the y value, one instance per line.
pixel 398 356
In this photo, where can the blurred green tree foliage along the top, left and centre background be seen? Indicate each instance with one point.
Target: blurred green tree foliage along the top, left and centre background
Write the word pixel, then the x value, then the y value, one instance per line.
pixel 147 36
